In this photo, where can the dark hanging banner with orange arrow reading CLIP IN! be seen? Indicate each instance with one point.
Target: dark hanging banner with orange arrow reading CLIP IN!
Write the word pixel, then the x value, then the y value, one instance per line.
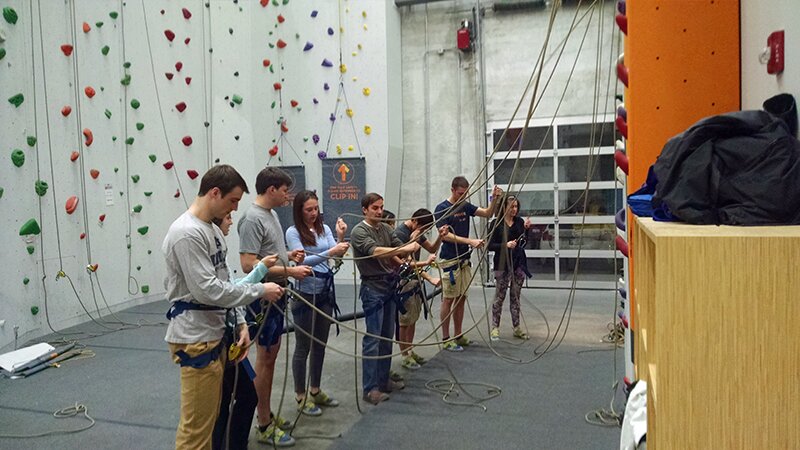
pixel 344 182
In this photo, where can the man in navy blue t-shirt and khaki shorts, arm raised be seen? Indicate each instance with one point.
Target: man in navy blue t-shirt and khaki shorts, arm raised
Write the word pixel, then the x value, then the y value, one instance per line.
pixel 455 212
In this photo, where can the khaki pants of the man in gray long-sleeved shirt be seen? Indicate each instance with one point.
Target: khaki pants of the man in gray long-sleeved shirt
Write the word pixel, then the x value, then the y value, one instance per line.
pixel 201 392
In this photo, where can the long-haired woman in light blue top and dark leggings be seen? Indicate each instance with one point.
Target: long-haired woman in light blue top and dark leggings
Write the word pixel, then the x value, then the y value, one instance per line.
pixel 316 240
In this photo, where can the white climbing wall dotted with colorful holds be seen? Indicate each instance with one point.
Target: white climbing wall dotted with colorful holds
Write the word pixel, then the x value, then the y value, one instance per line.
pixel 111 112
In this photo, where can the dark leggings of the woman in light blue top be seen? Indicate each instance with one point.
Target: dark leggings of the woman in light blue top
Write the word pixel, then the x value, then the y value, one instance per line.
pixel 303 317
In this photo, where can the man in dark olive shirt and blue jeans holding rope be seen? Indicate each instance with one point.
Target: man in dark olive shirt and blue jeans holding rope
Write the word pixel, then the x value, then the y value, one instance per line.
pixel 374 247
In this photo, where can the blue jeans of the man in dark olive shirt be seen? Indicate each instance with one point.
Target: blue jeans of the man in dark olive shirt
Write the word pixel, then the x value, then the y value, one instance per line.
pixel 380 309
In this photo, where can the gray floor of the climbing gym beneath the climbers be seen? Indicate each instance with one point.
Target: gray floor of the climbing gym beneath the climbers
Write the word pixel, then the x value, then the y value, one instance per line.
pixel 131 388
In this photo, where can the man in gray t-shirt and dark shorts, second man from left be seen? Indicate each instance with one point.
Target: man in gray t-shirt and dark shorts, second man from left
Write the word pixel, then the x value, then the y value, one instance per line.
pixel 260 234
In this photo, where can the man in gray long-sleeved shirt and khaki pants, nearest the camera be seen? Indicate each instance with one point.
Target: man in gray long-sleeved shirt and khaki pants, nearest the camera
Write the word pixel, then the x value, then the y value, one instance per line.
pixel 202 296
